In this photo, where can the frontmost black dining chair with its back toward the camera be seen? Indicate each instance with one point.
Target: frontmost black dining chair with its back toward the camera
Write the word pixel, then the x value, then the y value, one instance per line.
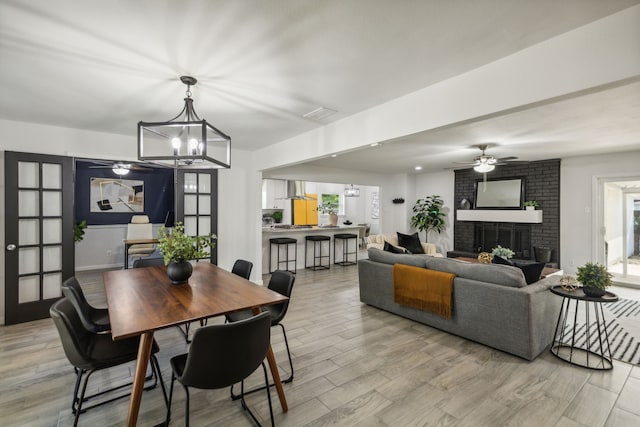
pixel 222 355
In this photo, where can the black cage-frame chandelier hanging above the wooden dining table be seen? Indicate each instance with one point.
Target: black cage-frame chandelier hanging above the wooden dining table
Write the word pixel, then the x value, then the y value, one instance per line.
pixel 185 141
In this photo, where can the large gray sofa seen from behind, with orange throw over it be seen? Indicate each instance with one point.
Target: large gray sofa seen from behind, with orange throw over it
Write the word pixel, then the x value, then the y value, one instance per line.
pixel 492 304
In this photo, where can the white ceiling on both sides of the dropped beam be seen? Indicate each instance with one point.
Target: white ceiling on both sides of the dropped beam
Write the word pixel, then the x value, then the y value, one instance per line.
pixel 263 64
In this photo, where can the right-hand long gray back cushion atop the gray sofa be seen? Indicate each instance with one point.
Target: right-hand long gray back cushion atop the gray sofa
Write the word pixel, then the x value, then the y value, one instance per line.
pixel 492 273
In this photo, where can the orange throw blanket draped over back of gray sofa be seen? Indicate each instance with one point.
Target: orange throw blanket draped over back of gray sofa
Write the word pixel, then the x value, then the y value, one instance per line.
pixel 424 289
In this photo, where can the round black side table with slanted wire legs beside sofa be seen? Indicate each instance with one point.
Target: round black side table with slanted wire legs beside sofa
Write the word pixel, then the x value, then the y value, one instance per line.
pixel 587 344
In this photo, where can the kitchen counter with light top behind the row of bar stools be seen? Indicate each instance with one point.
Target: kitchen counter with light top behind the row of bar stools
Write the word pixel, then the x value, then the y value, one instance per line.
pixel 299 232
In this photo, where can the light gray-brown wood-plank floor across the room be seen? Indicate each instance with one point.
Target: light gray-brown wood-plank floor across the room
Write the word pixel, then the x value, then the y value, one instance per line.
pixel 355 365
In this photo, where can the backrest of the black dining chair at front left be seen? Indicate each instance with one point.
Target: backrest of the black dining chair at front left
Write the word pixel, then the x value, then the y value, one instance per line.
pixel 74 336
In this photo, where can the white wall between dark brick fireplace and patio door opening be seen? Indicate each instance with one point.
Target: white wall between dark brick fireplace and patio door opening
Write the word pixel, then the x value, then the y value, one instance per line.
pixel 577 202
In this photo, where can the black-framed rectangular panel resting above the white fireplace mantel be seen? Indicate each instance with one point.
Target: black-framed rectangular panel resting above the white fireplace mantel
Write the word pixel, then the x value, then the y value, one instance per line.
pixel 507 193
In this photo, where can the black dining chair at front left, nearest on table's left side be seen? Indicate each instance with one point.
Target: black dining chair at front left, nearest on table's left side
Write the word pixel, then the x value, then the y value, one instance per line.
pixel 89 352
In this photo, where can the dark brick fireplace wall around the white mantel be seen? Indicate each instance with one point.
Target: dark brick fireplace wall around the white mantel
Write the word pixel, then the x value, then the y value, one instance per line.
pixel 542 183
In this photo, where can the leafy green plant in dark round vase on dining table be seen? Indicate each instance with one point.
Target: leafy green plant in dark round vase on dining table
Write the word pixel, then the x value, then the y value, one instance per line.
pixel 179 248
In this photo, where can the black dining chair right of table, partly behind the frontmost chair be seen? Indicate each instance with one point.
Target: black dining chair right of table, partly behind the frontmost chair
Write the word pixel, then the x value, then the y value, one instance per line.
pixel 281 281
